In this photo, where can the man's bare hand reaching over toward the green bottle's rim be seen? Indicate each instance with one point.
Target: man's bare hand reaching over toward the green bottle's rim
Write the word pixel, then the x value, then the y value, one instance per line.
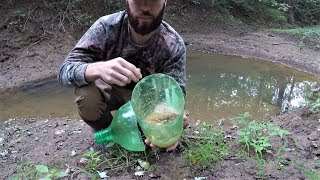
pixel 116 71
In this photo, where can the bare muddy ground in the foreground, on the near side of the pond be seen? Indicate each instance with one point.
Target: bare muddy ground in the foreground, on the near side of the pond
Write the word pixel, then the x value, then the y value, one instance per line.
pixel 61 143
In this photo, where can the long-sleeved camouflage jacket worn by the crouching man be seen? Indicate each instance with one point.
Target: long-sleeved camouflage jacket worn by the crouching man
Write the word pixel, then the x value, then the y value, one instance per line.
pixel 108 38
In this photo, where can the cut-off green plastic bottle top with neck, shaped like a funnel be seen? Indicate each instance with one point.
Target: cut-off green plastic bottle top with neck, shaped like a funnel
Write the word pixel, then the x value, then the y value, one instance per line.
pixel 123 130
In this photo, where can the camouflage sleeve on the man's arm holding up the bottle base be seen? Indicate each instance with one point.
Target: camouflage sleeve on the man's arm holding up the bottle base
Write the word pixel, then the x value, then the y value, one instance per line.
pixel 176 65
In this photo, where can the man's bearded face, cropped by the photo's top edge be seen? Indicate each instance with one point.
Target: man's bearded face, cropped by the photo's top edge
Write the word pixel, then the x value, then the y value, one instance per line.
pixel 145 16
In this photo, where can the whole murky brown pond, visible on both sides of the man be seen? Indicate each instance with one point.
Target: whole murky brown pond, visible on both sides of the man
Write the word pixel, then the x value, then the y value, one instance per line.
pixel 219 87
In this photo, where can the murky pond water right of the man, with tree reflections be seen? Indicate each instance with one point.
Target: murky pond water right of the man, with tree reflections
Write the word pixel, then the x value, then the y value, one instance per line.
pixel 220 87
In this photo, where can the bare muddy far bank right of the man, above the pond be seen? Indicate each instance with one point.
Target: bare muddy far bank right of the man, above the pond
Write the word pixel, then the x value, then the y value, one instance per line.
pixel 260 44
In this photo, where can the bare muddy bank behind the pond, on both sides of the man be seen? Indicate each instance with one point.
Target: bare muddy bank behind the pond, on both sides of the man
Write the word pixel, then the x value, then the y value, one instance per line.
pixel 41 59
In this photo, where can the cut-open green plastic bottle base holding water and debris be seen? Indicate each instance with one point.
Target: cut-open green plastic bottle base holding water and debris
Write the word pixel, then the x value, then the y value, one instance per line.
pixel 158 103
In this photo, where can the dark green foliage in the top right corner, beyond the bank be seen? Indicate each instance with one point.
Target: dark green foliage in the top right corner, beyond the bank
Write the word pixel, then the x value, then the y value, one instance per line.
pixel 274 12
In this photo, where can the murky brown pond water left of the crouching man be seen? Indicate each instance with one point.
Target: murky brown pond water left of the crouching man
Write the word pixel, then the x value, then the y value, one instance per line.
pixel 43 99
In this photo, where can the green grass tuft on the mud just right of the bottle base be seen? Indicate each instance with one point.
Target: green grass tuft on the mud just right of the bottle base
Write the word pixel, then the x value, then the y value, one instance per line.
pixel 208 148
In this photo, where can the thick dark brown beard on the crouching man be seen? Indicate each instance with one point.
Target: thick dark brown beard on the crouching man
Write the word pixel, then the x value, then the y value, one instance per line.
pixel 145 28
